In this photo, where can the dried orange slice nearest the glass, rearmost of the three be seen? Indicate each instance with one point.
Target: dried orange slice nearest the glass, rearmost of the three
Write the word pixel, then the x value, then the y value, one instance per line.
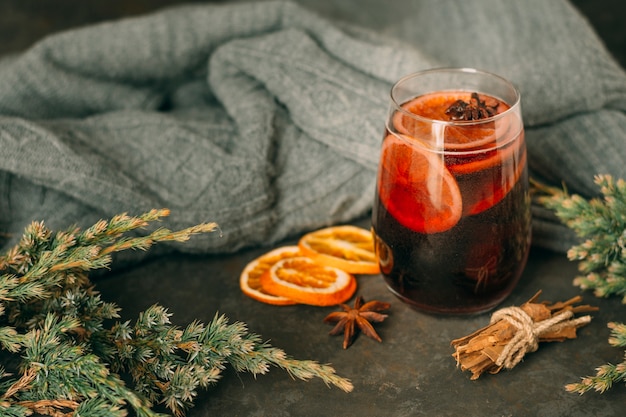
pixel 346 247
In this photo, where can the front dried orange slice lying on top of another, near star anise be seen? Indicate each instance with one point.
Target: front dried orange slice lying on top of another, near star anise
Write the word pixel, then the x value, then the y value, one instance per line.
pixel 306 281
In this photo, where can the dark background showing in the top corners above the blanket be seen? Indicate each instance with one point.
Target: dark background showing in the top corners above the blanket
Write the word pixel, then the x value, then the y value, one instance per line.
pixel 23 22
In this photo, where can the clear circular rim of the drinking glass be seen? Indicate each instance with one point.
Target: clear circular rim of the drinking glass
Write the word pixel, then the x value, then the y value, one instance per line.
pixel 513 107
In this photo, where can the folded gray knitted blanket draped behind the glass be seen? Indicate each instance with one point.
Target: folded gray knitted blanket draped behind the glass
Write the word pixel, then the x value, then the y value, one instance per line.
pixel 266 117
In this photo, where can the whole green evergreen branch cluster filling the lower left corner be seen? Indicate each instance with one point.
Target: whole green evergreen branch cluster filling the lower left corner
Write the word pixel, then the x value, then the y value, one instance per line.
pixel 63 360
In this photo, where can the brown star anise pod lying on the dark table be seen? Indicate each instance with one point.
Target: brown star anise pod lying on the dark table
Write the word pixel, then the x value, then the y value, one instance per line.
pixel 359 317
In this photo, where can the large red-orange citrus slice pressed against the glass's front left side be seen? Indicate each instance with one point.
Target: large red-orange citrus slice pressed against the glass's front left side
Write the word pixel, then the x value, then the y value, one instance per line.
pixel 417 188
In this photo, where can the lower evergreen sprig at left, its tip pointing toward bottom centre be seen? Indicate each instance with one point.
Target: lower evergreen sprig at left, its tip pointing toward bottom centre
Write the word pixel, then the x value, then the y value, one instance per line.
pixel 169 363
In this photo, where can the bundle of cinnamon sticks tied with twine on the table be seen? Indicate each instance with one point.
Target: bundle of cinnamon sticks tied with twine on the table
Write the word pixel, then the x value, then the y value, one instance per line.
pixel 515 331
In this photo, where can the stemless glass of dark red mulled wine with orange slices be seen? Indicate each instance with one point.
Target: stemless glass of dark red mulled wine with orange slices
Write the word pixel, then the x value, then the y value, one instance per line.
pixel 451 218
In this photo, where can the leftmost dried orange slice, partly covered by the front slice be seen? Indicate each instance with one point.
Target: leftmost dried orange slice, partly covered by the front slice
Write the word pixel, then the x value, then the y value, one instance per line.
pixel 250 278
